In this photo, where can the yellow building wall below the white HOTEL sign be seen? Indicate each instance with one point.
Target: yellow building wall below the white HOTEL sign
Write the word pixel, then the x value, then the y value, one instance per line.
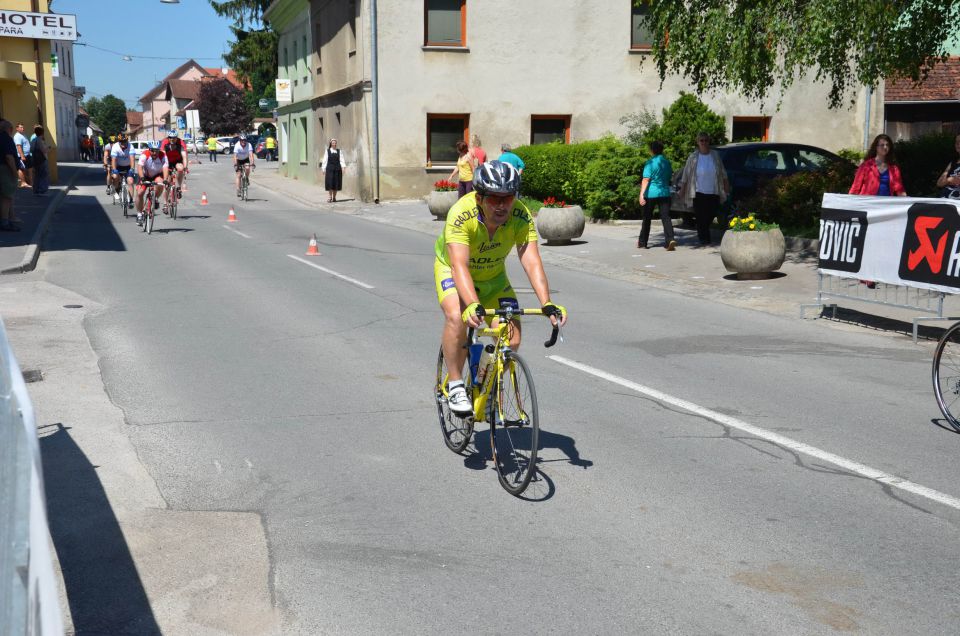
pixel 19 100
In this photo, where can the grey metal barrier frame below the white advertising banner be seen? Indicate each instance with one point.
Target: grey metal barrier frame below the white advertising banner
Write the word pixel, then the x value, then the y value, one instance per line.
pixel 900 296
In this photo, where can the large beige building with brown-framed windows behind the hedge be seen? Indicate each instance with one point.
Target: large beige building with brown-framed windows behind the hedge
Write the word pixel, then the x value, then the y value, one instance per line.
pixel 451 69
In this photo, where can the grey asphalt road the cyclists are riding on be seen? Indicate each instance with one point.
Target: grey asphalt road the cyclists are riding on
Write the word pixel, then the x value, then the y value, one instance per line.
pixel 255 384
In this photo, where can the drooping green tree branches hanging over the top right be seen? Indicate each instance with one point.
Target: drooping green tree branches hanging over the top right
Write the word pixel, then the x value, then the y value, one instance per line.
pixel 752 46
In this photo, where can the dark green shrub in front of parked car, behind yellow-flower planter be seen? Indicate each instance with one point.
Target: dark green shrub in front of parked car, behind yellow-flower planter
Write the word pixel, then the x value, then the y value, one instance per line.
pixel 793 201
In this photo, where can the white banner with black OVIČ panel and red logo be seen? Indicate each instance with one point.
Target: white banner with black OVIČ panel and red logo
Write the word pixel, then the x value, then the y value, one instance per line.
pixel 896 240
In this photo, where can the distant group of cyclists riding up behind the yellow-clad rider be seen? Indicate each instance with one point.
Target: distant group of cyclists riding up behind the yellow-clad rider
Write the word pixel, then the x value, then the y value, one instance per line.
pixel 165 166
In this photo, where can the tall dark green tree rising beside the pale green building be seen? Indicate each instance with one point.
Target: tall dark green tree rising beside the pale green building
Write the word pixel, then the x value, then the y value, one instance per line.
pixel 254 53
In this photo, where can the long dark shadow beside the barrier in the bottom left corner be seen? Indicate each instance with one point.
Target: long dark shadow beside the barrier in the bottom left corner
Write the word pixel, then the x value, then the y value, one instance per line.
pixel 104 590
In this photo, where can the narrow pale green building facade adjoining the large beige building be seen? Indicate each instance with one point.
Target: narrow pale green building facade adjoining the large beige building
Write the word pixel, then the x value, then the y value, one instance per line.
pixel 300 151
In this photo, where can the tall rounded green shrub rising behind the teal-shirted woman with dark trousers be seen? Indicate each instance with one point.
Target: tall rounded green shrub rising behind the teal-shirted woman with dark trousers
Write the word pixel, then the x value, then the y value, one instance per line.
pixel 682 121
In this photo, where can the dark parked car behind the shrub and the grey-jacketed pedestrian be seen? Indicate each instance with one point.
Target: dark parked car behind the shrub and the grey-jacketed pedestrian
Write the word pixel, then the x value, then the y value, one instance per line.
pixel 749 165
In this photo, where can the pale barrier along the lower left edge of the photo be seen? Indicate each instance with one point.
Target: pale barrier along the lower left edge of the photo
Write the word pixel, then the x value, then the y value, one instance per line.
pixel 28 591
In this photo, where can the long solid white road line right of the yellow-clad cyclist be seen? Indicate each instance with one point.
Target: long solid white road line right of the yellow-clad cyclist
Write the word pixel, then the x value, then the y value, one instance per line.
pixel 855 467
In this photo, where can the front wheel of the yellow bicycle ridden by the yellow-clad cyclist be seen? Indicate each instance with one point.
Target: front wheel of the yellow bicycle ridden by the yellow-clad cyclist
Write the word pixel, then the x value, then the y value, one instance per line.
pixel 514 425
